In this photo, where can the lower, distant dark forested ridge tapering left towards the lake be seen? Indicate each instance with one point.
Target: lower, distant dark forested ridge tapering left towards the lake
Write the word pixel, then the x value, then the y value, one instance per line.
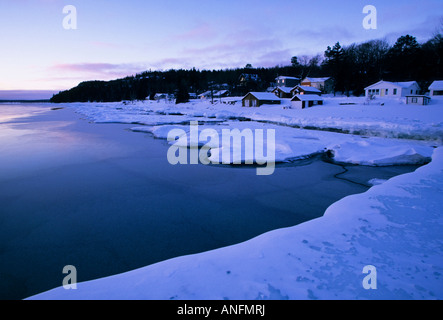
pixel 145 85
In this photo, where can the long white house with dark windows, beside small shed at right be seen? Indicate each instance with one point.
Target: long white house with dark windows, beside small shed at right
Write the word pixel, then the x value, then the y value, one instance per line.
pixel 392 89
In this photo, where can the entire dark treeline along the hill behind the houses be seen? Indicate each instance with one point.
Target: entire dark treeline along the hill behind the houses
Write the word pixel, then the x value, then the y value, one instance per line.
pixel 353 67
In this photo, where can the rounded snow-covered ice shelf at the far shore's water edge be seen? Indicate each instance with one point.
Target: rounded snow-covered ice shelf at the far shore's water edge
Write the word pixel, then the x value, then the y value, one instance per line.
pixel 291 143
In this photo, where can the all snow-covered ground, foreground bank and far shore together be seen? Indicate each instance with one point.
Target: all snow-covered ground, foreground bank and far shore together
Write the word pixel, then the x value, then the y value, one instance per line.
pixel 395 226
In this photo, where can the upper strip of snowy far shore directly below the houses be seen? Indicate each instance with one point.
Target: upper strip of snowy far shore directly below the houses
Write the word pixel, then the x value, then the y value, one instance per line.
pixel 388 118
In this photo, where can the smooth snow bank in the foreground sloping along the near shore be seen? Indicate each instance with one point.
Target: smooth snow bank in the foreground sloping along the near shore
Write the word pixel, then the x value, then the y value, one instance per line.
pixel 395 226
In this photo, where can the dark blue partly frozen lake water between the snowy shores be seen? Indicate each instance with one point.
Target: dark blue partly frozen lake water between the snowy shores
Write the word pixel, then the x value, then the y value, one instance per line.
pixel 106 200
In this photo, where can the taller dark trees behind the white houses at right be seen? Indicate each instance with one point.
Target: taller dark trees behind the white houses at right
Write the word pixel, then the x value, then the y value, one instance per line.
pixel 358 65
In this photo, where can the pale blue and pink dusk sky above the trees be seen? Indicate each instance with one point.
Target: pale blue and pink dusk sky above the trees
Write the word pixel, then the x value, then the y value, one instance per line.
pixel 114 38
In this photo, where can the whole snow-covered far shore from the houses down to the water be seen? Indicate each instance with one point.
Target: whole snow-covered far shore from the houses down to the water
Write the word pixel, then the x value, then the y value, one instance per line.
pixel 352 131
